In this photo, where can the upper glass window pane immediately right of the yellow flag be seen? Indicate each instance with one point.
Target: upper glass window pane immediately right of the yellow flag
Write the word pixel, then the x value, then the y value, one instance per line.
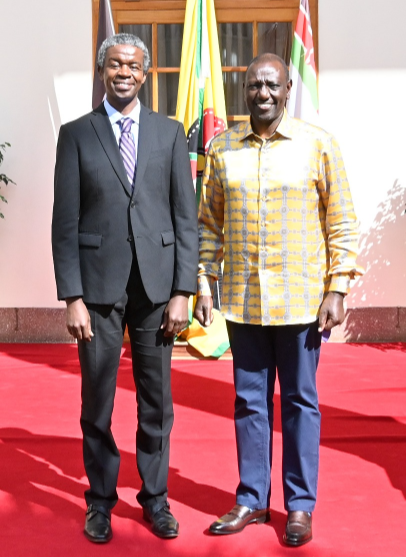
pixel 235 43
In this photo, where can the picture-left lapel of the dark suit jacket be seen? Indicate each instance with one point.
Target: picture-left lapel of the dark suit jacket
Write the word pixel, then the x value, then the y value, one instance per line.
pixel 101 124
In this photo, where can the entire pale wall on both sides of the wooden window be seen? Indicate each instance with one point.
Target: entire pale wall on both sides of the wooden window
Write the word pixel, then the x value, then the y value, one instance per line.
pixel 46 80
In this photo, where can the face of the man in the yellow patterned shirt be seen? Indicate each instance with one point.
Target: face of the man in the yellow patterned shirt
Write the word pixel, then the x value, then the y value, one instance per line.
pixel 266 90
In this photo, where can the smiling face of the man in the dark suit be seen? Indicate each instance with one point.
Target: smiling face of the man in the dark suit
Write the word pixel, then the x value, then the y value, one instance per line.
pixel 123 75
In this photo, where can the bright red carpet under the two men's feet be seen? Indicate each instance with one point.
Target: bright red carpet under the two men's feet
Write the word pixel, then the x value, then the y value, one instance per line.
pixel 361 509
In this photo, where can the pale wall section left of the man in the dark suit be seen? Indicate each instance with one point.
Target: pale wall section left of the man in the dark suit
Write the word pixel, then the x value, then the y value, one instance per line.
pixel 45 80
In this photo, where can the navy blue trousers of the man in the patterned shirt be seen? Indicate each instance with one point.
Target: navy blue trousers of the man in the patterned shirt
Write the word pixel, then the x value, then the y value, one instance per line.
pixel 258 353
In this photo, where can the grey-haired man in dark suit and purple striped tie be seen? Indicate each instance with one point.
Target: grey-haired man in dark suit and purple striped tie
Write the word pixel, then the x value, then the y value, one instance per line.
pixel 125 248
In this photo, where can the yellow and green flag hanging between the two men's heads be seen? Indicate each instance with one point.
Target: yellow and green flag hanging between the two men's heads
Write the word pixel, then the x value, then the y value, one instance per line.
pixel 201 106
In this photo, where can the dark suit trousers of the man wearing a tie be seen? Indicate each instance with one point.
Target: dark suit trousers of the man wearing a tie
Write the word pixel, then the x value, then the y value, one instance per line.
pixel 151 358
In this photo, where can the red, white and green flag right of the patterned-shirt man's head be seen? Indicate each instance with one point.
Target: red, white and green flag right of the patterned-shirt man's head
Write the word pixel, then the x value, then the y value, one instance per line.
pixel 303 102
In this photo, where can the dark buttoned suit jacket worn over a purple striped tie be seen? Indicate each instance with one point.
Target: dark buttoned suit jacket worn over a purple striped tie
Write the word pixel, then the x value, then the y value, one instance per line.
pixel 95 217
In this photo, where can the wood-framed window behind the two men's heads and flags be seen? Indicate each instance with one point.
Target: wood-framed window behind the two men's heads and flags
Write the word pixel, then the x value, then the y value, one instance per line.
pixel 245 28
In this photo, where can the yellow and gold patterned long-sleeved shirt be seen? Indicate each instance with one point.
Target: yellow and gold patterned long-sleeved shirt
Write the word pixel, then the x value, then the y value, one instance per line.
pixel 279 212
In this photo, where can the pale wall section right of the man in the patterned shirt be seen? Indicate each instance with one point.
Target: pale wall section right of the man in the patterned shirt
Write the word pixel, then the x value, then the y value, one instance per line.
pixel 362 89
